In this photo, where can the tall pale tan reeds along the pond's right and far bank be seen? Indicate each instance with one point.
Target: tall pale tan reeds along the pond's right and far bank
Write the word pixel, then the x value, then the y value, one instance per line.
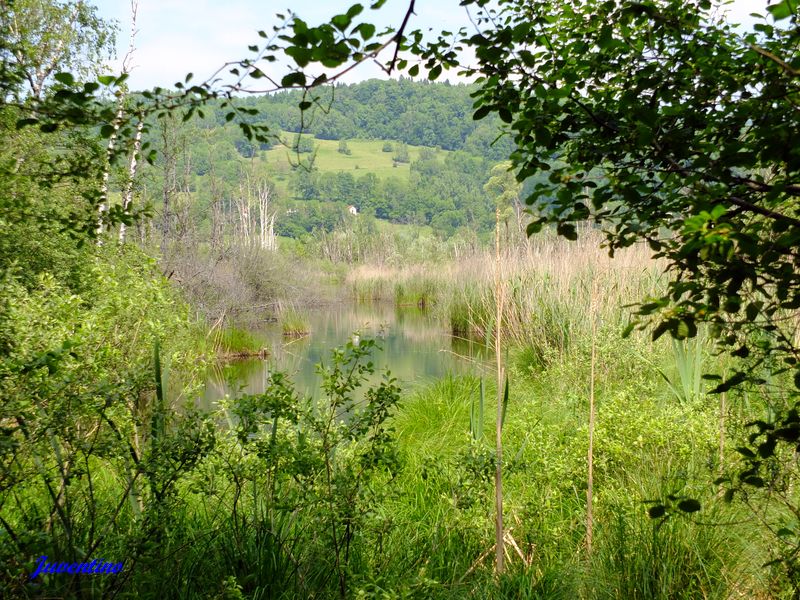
pixel 548 285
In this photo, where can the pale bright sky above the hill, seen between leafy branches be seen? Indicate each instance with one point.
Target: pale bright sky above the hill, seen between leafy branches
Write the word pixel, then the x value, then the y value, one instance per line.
pixel 175 37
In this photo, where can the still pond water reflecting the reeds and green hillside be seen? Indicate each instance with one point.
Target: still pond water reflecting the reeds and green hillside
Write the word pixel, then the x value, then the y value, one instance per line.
pixel 415 347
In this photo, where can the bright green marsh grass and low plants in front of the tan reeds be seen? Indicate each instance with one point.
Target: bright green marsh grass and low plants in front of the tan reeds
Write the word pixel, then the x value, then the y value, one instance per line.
pixel 644 450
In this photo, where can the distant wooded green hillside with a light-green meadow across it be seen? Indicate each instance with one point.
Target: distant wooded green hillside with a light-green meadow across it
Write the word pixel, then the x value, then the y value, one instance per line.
pixel 402 151
